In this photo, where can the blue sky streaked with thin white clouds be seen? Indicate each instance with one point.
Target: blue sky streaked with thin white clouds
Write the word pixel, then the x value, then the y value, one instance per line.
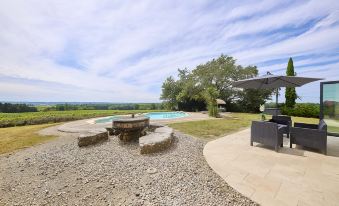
pixel 122 51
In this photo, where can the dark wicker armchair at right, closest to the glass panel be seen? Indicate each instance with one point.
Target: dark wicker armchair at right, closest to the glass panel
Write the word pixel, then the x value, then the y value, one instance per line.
pixel 310 135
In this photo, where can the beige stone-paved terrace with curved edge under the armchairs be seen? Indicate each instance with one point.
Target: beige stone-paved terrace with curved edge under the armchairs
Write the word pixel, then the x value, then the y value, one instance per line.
pixel 290 177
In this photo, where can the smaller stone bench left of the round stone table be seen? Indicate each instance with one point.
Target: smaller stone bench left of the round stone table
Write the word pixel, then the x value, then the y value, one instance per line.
pixel 92 137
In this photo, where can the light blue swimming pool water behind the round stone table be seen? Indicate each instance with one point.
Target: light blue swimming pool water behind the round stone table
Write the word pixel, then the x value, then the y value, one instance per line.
pixel 151 115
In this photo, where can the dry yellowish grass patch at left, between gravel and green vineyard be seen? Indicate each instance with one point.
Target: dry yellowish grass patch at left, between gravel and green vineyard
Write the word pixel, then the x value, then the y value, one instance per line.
pixel 14 138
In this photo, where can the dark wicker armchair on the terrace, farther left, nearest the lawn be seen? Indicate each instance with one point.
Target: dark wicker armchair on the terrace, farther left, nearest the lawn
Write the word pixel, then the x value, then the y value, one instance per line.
pixel 267 133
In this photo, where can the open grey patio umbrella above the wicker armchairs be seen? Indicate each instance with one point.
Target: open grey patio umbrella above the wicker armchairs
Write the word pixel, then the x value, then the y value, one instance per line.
pixel 270 81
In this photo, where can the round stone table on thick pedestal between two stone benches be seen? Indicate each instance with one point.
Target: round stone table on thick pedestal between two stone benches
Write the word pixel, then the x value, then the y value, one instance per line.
pixel 130 128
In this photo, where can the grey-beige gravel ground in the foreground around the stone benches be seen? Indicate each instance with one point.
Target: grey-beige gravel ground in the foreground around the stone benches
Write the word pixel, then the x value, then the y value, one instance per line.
pixel 111 173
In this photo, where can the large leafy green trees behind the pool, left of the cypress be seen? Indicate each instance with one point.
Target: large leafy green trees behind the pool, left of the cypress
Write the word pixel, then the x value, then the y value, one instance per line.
pixel 198 89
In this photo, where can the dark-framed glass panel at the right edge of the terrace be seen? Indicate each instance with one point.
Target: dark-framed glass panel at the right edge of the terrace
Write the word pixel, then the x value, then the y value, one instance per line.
pixel 330 105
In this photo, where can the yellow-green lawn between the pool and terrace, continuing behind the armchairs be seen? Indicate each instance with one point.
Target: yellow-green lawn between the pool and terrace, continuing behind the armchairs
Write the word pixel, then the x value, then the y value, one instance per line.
pixel 214 128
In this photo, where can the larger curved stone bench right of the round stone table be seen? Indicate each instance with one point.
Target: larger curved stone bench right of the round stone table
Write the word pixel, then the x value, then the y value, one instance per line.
pixel 157 141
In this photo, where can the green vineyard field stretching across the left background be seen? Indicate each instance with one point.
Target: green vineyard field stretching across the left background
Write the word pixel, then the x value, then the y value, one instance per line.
pixel 32 118
